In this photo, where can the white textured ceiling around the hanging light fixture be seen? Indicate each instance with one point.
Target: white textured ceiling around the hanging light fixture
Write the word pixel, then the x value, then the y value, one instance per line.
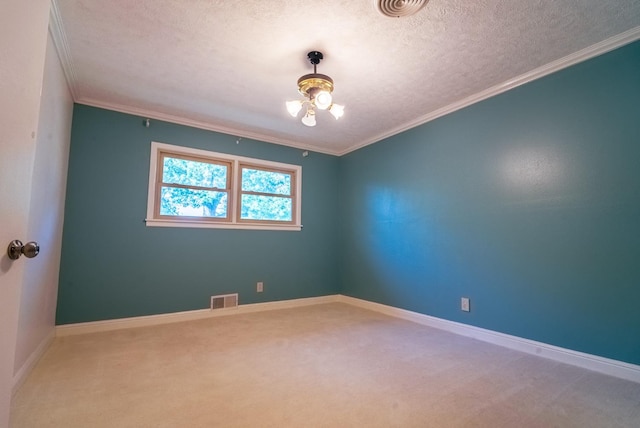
pixel 231 65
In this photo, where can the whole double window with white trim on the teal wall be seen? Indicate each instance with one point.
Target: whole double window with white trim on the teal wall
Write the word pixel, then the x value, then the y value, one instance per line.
pixel 196 188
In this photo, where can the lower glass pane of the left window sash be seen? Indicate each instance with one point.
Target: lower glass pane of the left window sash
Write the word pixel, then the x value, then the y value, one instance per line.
pixel 196 203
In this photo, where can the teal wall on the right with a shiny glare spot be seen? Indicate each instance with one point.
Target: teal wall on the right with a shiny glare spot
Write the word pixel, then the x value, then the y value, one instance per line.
pixel 528 203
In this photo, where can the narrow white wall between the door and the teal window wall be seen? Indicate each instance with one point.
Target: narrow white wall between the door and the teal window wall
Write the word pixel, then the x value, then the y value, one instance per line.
pixel 40 284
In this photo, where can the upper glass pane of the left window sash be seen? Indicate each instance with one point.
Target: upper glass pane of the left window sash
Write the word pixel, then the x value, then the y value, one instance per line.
pixel 193 173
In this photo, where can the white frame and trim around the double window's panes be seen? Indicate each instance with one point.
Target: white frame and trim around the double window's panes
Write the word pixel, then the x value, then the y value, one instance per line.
pixel 234 221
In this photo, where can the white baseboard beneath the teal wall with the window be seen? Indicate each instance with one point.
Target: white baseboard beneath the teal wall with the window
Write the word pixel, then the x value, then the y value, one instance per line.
pixel 150 320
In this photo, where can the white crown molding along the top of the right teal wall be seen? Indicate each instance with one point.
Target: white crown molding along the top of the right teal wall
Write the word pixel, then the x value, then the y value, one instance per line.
pixel 592 51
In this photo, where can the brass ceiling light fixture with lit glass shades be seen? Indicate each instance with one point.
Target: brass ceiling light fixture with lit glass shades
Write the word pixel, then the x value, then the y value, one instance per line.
pixel 317 91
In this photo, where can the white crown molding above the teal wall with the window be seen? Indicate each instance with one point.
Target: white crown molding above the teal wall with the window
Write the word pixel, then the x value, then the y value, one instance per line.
pixel 199 124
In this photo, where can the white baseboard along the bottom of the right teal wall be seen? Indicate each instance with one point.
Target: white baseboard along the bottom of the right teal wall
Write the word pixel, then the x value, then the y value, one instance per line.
pixel 607 366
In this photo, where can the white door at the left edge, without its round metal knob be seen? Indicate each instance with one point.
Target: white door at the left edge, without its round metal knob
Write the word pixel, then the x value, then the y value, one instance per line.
pixel 23 38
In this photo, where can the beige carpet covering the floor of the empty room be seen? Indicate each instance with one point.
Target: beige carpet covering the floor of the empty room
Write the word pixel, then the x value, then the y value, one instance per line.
pixel 329 365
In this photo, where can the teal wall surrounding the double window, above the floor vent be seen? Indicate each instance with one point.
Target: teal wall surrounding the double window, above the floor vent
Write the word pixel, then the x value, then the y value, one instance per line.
pixel 113 266
